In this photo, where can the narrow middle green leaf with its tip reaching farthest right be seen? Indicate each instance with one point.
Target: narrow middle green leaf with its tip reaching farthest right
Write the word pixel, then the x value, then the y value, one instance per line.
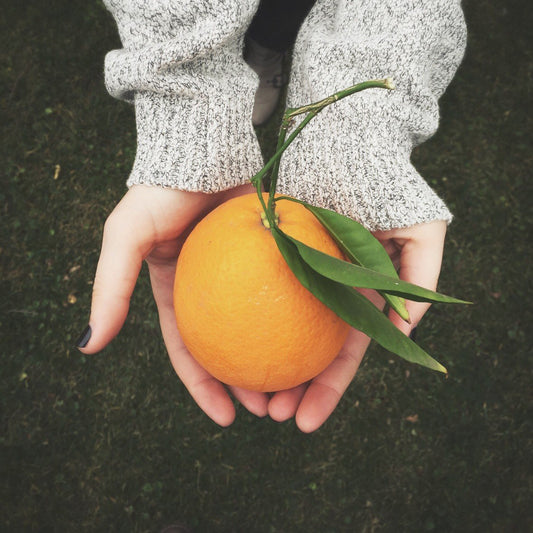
pixel 364 278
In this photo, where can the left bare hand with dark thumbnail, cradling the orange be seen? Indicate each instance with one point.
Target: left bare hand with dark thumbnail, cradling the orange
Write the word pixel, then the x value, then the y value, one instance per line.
pixel 151 224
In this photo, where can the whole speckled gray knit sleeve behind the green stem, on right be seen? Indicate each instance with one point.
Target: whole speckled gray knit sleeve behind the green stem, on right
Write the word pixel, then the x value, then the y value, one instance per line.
pixel 355 156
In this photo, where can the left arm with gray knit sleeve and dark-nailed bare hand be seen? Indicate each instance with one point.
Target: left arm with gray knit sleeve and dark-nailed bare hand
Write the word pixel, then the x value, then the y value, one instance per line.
pixel 182 67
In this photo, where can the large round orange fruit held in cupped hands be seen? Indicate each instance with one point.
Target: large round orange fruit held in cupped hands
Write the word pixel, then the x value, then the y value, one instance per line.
pixel 240 310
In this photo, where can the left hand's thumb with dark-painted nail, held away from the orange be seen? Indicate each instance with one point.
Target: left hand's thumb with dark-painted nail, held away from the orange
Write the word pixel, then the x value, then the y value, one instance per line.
pixel 126 240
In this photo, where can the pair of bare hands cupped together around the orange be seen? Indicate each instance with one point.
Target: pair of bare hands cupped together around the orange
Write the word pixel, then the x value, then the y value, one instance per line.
pixel 151 224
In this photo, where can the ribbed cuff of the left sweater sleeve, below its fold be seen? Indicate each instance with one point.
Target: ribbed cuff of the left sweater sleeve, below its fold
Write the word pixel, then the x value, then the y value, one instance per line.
pixel 203 143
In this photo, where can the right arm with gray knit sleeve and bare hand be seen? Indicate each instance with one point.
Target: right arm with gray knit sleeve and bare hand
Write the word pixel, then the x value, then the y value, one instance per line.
pixel 354 157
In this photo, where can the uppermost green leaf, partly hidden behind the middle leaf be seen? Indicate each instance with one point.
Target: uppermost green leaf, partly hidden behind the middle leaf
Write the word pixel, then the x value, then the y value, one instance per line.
pixel 360 246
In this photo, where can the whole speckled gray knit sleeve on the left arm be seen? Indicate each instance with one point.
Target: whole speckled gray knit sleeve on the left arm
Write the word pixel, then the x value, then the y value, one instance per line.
pixel 181 65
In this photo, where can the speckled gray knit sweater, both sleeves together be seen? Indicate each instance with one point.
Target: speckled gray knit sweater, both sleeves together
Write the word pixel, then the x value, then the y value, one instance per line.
pixel 181 64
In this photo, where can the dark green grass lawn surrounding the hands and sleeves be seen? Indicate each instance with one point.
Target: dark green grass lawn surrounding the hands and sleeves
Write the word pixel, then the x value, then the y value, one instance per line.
pixel 114 443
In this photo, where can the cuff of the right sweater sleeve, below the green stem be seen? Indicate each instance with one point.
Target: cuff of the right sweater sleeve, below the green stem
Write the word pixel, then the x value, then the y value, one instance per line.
pixel 360 167
